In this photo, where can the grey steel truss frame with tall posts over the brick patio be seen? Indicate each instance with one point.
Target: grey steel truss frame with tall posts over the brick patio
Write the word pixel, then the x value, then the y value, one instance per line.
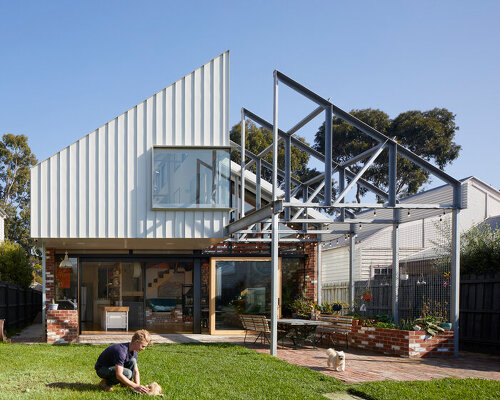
pixel 304 220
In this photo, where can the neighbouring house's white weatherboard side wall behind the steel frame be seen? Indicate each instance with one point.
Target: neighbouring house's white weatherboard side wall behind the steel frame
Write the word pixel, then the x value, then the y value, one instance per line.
pixel 481 200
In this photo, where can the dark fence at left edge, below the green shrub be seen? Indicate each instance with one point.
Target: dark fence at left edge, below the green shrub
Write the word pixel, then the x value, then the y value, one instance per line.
pixel 18 306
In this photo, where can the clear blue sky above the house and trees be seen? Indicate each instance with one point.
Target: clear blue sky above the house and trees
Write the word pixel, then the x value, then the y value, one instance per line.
pixel 68 67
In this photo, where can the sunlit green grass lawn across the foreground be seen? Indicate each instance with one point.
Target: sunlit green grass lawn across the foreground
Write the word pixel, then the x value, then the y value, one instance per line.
pixel 210 371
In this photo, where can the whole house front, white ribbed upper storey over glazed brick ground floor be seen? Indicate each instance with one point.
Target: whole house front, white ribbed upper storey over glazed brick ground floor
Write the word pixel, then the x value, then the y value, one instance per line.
pixel 130 219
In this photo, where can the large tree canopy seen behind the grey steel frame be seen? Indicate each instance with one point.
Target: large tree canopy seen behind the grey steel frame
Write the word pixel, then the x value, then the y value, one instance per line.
pixel 428 134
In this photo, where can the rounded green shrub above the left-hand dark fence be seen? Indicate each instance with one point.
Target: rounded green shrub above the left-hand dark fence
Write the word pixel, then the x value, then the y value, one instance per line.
pixel 14 264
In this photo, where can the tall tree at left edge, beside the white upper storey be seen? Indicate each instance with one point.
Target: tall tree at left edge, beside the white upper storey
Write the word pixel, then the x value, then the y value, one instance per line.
pixel 16 159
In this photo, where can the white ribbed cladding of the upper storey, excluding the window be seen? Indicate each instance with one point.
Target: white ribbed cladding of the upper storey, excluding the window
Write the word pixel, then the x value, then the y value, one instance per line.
pixel 100 186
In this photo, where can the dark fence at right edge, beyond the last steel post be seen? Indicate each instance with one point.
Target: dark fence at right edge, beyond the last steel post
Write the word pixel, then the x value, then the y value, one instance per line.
pixel 480 313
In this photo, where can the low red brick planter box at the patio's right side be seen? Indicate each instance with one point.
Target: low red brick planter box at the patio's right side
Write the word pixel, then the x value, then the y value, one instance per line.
pixel 410 344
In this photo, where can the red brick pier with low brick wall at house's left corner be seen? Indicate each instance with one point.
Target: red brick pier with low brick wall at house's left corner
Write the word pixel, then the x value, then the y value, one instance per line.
pixel 61 326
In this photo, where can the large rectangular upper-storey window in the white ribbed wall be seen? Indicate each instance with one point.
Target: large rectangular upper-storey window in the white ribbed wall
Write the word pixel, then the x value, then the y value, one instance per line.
pixel 191 177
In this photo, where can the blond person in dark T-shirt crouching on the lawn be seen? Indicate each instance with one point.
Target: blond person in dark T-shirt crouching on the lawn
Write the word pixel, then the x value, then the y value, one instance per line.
pixel 118 363
